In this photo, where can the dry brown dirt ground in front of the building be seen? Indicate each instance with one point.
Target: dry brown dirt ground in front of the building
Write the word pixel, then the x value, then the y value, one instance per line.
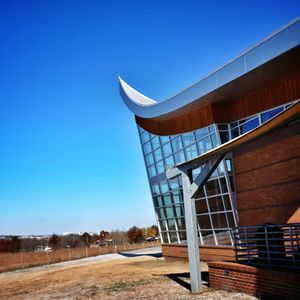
pixel 142 277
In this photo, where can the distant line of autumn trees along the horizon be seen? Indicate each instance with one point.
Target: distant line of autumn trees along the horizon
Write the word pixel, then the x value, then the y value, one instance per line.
pixel 55 241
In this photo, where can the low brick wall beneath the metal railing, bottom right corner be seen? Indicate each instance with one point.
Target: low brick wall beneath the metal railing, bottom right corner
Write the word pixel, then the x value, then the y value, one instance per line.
pixel 280 284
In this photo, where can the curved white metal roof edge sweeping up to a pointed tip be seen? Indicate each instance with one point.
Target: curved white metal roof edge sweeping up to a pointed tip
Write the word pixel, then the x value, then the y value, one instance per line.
pixel 273 46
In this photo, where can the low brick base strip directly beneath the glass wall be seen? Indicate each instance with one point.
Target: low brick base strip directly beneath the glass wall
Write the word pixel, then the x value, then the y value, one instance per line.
pixel 207 253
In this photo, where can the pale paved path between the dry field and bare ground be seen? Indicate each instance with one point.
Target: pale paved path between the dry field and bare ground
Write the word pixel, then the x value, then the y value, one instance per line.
pixel 153 251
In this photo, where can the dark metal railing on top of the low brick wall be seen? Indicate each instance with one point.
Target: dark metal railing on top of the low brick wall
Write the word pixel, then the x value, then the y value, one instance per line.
pixel 269 244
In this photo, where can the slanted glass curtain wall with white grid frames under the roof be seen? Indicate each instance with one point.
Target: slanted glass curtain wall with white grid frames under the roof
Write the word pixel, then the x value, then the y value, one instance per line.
pixel 215 201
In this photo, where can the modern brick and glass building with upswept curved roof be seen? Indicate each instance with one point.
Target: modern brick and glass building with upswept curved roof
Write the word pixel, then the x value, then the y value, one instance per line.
pixel 248 108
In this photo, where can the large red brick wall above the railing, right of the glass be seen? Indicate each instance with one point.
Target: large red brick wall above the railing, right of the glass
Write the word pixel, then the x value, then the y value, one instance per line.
pixel 267 174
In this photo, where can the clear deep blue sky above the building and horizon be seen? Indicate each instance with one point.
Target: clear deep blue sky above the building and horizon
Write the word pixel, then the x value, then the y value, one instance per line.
pixel 70 158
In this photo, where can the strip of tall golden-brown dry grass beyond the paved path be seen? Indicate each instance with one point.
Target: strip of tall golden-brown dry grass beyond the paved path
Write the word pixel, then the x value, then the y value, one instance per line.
pixel 21 260
